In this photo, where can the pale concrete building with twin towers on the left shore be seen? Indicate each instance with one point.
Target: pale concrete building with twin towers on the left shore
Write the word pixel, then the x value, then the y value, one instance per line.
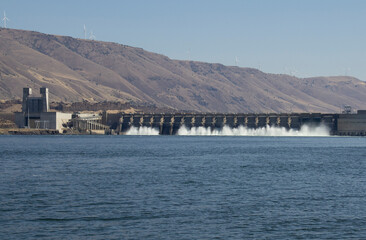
pixel 36 114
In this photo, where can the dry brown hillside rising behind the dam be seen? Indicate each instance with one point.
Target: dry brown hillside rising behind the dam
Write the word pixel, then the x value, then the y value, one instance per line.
pixel 79 70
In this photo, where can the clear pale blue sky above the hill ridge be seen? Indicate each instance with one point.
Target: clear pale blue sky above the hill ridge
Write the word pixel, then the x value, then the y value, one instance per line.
pixel 305 38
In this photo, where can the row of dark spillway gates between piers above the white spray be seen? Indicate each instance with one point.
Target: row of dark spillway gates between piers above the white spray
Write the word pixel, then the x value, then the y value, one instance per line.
pixel 169 124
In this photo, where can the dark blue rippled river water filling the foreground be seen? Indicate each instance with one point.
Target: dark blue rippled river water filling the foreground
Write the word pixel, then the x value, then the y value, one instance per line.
pixel 125 187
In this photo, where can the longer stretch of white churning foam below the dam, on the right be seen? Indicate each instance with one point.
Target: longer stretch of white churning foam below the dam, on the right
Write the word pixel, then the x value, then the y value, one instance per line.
pixel 308 131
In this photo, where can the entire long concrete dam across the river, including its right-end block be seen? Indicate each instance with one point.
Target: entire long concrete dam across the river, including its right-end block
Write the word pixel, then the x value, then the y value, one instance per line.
pixel 169 124
